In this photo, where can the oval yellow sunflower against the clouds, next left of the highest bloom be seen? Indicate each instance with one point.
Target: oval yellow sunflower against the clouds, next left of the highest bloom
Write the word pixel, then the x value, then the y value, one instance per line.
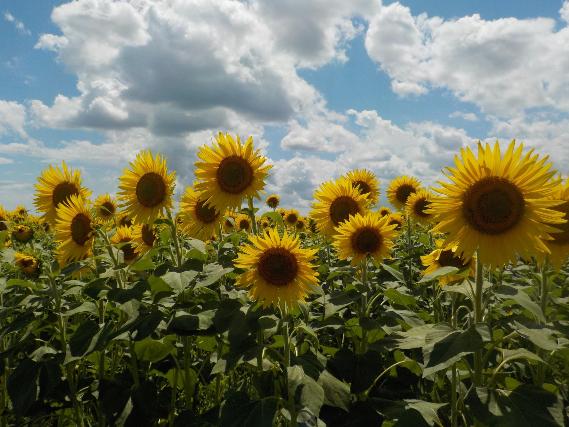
pixel 146 188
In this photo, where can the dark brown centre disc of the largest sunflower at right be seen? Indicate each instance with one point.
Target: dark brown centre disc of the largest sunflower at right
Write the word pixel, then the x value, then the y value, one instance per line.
pixel 493 205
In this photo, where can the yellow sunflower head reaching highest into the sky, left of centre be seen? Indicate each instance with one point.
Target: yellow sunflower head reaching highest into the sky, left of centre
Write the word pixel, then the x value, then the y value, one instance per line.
pixel 230 171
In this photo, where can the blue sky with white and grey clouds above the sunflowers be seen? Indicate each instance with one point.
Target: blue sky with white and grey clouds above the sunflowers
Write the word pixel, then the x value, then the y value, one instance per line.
pixel 323 86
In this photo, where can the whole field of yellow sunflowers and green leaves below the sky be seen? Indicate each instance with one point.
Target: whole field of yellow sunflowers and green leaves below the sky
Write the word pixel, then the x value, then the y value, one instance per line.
pixel 451 308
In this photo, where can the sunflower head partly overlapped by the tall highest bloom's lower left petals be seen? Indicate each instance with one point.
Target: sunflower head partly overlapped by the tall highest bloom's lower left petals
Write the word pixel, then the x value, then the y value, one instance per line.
pixel 200 219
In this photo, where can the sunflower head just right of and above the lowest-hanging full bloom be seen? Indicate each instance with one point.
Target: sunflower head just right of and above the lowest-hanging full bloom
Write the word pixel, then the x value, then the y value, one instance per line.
pixel 363 235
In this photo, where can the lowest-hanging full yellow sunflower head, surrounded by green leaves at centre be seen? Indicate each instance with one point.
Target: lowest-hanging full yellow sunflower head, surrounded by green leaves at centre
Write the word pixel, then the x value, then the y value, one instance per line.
pixel 278 271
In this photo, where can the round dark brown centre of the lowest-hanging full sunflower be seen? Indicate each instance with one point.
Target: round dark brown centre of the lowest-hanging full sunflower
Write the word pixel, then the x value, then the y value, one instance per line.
pixel 278 266
